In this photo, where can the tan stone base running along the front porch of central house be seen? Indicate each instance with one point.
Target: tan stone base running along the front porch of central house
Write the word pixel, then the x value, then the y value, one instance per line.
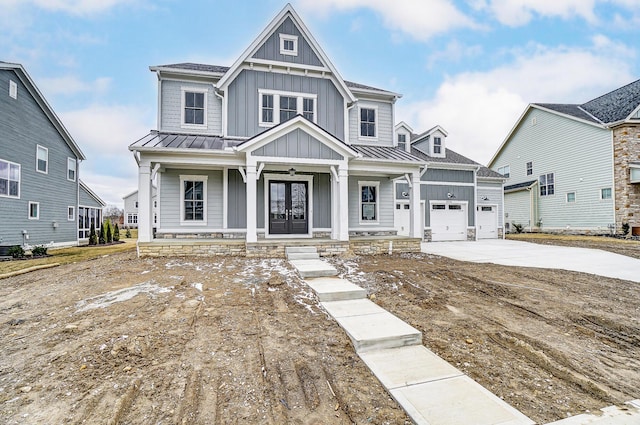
pixel 275 248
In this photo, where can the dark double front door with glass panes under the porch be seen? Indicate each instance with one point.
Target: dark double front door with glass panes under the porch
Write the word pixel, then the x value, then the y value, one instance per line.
pixel 288 211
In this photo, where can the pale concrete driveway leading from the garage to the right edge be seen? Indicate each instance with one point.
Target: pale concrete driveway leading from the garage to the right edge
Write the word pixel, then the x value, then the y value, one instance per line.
pixel 525 254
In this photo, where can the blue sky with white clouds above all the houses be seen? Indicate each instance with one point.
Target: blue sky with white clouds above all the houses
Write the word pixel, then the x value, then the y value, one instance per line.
pixel 470 66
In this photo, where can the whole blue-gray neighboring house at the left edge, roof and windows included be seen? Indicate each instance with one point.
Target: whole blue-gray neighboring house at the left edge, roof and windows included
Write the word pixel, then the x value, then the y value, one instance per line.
pixel 41 195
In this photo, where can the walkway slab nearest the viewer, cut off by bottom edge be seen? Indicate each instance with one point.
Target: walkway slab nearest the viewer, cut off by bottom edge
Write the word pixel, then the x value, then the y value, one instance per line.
pixel 454 401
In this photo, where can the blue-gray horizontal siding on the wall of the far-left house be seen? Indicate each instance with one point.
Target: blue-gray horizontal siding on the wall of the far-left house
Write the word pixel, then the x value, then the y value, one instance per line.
pixel 23 126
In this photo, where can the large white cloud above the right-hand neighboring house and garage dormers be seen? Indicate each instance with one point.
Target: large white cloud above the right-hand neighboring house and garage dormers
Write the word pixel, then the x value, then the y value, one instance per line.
pixel 478 109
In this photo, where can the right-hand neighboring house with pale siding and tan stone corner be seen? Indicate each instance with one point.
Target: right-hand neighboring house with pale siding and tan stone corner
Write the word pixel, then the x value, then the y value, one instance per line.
pixel 575 168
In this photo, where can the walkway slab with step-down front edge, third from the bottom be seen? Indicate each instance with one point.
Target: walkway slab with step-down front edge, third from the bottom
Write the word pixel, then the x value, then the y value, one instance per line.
pixel 378 331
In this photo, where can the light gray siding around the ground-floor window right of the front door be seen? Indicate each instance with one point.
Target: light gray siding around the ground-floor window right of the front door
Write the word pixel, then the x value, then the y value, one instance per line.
pixel 386 203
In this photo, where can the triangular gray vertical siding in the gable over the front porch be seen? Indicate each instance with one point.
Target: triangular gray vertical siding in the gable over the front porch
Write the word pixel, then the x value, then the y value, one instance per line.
pixel 298 144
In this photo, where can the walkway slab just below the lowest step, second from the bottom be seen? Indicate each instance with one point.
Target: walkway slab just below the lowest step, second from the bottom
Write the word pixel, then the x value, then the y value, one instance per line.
pixel 399 367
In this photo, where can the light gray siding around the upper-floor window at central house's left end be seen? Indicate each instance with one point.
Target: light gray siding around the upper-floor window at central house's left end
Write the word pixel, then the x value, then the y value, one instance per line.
pixel 171 107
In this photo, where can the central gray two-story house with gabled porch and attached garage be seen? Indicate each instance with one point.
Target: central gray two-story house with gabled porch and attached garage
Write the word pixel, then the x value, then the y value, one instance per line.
pixel 280 147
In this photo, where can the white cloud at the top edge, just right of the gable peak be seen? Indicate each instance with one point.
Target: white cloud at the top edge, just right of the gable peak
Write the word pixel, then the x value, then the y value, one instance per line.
pixel 421 19
